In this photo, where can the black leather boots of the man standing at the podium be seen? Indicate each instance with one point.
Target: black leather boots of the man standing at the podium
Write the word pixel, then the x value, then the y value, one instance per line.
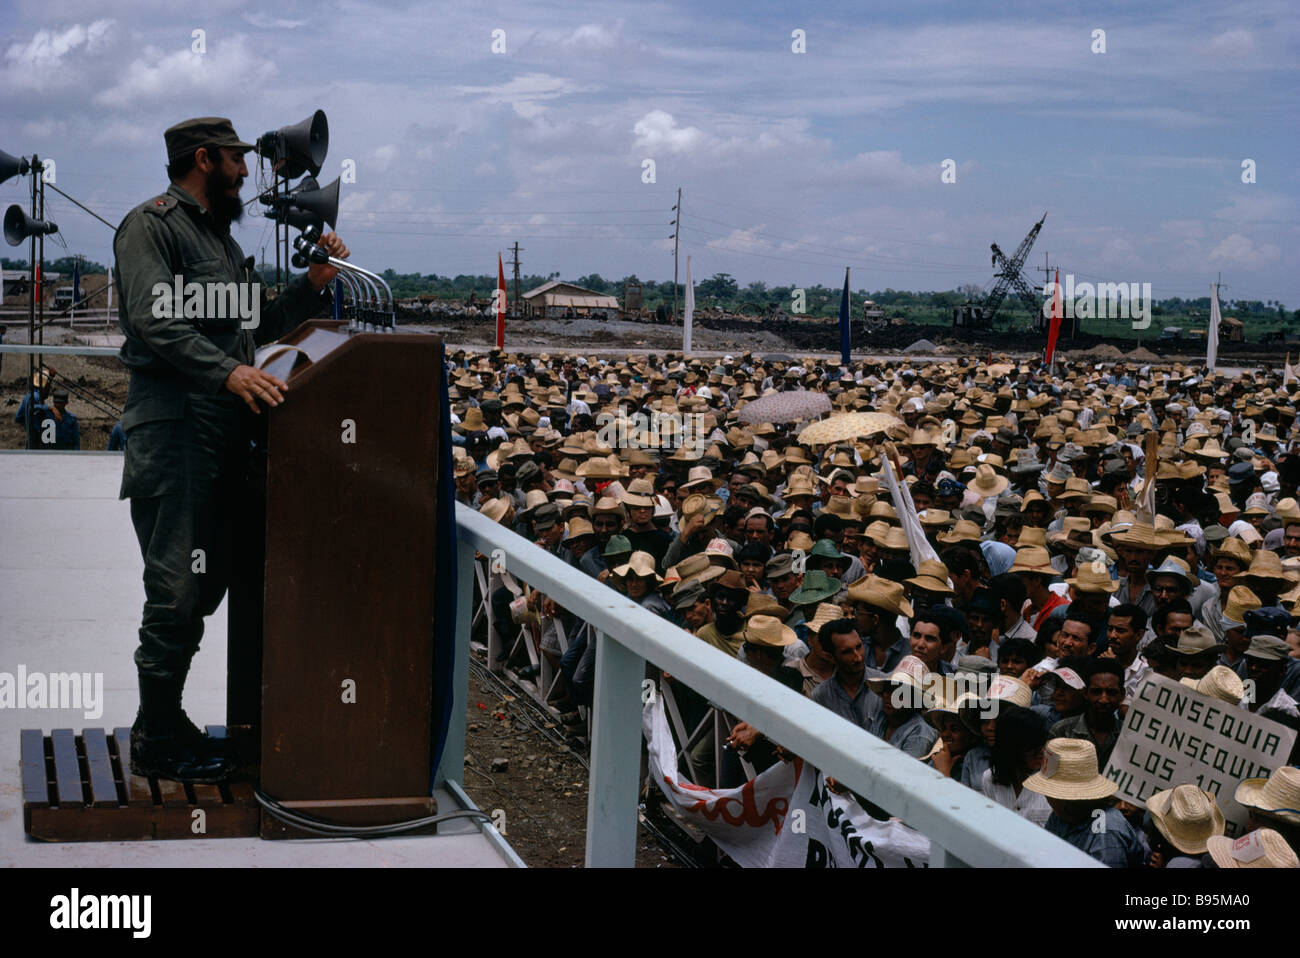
pixel 164 744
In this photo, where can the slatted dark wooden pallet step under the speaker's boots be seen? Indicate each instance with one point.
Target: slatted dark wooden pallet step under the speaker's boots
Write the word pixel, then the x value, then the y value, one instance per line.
pixel 81 788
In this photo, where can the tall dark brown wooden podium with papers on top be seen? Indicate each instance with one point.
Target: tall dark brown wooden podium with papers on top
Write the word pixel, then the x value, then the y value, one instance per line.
pixel 341 686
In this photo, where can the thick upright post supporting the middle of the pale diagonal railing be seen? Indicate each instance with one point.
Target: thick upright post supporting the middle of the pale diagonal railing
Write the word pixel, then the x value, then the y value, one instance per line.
pixel 612 807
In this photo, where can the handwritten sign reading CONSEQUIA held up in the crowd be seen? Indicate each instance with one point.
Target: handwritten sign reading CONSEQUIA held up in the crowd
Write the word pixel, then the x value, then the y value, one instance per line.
pixel 1176 736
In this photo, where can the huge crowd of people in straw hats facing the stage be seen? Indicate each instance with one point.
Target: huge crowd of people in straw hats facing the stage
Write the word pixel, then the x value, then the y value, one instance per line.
pixel 1072 535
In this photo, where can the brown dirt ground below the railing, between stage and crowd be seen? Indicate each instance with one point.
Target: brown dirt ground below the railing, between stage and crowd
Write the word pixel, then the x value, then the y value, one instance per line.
pixel 543 790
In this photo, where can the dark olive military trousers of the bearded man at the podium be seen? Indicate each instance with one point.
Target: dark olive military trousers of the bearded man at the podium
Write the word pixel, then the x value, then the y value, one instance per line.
pixel 187 480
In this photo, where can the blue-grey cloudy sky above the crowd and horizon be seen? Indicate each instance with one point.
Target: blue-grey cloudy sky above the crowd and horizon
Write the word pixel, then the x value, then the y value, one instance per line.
pixel 792 166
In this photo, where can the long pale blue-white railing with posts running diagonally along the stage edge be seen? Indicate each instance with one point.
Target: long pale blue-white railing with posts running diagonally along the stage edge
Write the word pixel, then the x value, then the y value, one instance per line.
pixel 965 829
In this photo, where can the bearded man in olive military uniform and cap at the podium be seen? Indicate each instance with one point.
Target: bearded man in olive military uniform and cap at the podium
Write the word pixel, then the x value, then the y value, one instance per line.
pixel 189 432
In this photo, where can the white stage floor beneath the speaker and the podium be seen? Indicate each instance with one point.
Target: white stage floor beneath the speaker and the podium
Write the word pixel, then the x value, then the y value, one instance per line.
pixel 71 600
